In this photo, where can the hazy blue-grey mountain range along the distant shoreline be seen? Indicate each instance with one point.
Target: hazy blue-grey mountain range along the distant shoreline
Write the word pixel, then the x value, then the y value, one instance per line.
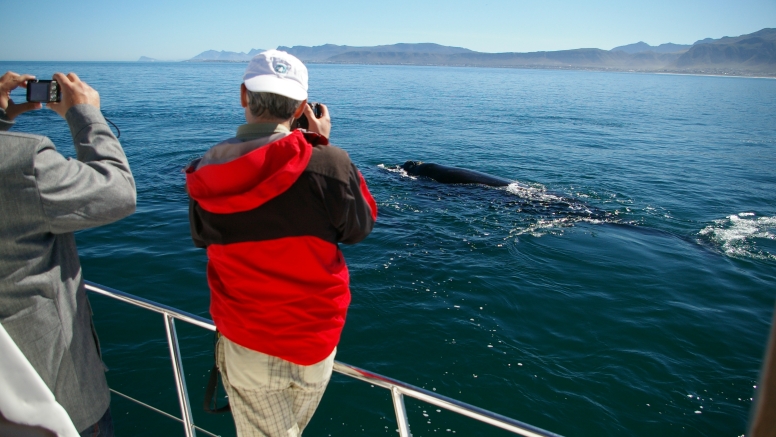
pixel 752 55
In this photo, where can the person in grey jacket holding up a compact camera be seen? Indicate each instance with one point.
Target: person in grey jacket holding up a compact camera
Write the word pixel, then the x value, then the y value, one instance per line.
pixel 44 198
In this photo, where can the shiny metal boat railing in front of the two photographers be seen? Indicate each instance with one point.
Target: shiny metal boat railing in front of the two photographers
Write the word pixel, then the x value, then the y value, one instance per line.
pixel 397 388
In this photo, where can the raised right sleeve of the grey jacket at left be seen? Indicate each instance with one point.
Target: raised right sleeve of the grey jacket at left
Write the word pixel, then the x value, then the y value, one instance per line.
pixel 95 189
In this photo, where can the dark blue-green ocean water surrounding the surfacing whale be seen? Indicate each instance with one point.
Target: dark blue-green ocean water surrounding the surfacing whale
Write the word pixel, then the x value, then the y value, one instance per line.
pixel 623 285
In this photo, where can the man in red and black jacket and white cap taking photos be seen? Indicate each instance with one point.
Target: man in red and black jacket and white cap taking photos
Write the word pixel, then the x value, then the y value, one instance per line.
pixel 271 205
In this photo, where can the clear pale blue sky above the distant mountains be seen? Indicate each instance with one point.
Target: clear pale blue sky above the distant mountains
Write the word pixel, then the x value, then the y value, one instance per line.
pixel 108 30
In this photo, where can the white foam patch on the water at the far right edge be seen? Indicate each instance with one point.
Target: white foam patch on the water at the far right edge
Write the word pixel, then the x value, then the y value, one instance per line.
pixel 743 235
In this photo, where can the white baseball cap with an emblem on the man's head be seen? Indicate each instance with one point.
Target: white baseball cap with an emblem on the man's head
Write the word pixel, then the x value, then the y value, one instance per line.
pixel 277 72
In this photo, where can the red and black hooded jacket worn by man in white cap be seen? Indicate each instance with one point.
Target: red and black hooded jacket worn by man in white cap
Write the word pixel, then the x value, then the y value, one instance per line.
pixel 271 221
